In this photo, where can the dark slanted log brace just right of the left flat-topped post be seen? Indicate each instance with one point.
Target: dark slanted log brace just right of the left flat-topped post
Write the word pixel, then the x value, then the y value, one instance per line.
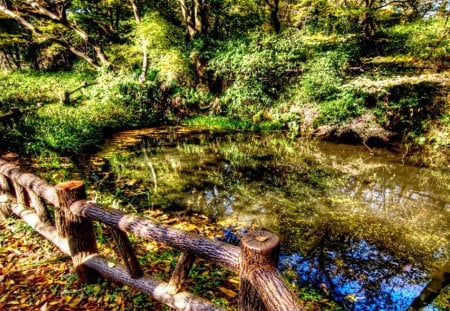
pixel 126 252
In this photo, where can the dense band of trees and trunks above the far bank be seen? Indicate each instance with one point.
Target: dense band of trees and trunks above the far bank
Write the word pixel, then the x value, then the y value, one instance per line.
pixel 55 33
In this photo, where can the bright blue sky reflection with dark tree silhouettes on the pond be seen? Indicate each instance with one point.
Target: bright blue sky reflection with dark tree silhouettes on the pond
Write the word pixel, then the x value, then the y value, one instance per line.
pixel 358 274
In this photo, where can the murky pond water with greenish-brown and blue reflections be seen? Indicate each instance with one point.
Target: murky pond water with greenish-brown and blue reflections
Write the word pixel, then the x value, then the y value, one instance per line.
pixel 360 226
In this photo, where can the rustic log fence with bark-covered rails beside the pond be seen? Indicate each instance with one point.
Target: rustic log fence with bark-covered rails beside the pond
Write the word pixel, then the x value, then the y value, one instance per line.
pixel 71 230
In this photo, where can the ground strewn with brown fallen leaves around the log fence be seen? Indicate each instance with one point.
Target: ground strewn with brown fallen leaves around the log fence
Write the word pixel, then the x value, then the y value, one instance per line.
pixel 35 275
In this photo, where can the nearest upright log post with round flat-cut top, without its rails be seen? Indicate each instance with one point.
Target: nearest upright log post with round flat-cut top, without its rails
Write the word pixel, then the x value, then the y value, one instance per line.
pixel 258 249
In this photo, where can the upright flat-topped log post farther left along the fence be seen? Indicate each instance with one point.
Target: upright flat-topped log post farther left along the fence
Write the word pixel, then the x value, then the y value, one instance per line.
pixel 79 231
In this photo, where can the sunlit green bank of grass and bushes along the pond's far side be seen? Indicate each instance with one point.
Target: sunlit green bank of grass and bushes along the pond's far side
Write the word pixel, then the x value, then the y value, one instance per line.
pixel 307 82
